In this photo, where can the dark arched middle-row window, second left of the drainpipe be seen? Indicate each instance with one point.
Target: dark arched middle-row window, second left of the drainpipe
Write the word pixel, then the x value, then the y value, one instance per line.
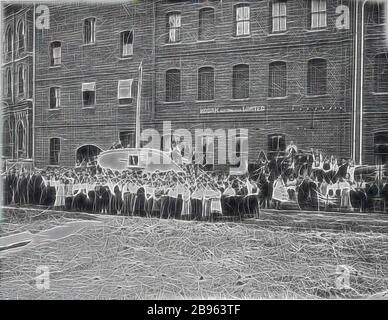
pixel 277 79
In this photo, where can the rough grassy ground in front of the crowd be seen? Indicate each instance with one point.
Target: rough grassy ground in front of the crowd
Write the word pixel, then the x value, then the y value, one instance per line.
pixel 283 255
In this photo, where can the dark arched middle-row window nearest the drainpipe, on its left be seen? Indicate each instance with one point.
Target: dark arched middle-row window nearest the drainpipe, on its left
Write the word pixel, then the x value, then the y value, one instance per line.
pixel 317 77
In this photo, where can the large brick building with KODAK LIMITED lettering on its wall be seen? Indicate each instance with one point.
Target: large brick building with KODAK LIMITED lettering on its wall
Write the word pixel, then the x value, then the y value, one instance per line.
pixel 284 70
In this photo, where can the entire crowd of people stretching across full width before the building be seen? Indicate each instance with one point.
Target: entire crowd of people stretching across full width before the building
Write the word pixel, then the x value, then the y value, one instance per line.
pixel 310 182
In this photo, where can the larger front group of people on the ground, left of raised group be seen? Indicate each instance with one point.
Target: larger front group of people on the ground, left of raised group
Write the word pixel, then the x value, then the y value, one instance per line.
pixel 191 194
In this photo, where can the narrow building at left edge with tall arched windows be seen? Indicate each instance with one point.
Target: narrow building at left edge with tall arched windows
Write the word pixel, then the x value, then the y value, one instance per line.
pixel 17 73
